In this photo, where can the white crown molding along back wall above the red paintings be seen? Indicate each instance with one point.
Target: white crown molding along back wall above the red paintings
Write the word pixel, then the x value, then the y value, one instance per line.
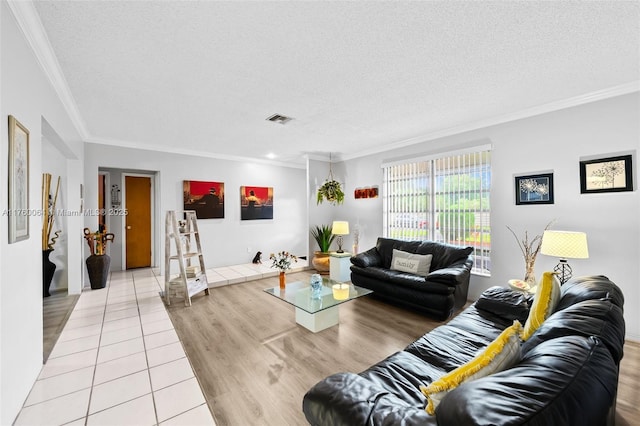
pixel 190 152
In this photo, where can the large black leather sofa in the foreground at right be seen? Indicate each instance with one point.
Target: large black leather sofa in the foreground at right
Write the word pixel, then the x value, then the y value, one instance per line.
pixel 567 374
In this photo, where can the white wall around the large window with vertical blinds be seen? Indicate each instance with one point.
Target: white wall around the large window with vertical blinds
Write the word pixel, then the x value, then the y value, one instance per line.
pixel 555 141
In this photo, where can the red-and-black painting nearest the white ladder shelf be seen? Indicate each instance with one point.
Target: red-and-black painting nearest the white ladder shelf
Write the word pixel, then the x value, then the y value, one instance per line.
pixel 205 198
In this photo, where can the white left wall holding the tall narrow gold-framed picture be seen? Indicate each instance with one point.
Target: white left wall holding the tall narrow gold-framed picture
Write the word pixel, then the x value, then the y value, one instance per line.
pixel 27 95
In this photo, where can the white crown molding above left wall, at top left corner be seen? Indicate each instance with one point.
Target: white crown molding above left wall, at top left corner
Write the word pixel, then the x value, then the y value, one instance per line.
pixel 29 22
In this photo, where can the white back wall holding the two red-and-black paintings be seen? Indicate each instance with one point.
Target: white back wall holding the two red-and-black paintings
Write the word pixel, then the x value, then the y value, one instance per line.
pixel 225 241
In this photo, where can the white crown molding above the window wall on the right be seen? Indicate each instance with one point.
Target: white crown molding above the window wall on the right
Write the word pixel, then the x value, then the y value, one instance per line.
pixel 623 89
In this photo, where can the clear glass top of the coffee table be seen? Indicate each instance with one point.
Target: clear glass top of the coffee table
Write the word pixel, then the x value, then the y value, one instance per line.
pixel 299 294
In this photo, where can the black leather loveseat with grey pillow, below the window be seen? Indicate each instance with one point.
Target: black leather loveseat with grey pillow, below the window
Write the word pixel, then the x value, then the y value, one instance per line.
pixel 438 293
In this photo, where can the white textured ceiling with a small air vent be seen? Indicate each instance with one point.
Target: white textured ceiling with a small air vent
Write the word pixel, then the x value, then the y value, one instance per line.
pixel 356 77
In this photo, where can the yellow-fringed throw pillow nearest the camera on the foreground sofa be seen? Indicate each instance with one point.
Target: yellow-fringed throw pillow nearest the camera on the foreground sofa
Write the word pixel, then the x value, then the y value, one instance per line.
pixel 501 354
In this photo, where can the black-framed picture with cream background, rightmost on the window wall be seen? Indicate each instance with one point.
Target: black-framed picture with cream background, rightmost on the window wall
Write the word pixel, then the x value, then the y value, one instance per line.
pixel 612 174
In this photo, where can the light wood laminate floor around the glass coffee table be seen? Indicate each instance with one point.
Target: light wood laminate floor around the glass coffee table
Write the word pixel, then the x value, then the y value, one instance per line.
pixel 254 363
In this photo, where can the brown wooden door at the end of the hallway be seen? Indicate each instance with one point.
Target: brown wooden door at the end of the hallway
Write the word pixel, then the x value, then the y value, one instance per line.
pixel 138 221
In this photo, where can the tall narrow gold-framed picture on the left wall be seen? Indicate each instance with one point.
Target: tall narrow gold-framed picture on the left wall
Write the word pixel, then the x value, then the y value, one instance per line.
pixel 18 181
